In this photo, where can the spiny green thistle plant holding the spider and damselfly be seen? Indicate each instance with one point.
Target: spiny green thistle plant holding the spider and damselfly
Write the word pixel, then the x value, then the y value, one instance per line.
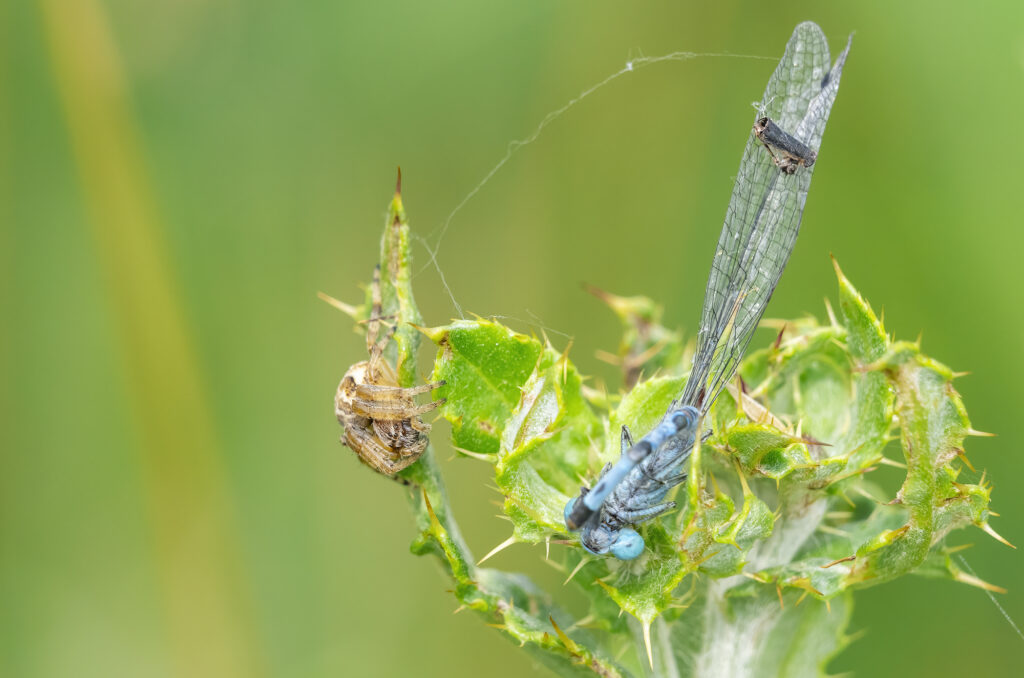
pixel 779 522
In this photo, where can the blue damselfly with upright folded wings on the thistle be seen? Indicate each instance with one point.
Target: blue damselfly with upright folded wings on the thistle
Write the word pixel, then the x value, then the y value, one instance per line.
pixel 761 227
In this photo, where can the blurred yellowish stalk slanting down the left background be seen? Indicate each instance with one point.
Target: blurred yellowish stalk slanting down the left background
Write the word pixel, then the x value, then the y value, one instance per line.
pixel 208 609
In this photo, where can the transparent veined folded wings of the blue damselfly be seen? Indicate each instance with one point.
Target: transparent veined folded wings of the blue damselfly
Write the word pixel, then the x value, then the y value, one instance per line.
pixel 763 219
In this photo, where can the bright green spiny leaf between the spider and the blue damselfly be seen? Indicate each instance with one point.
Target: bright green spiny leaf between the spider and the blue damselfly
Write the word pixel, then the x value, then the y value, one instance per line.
pixel 511 395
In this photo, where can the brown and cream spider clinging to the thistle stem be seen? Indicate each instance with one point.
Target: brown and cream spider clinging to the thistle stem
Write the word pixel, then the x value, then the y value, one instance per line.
pixel 381 419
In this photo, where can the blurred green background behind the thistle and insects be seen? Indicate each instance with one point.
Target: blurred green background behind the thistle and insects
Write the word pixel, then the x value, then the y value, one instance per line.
pixel 179 179
